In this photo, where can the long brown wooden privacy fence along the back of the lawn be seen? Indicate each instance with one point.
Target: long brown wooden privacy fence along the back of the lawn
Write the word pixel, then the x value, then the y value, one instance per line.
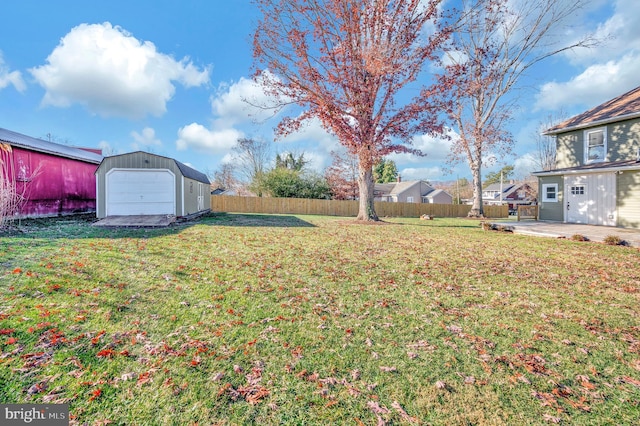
pixel 234 204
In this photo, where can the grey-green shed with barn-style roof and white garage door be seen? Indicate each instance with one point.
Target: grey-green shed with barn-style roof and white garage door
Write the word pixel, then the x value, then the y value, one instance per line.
pixel 140 183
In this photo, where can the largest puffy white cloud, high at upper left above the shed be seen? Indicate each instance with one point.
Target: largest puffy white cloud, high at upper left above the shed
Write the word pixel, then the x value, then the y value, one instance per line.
pixel 112 73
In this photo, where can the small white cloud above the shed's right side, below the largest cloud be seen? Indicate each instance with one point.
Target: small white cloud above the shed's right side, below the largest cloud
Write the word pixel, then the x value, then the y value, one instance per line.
pixel 201 139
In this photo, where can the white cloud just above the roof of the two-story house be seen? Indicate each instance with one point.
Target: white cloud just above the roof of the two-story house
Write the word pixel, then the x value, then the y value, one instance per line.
pixel 594 85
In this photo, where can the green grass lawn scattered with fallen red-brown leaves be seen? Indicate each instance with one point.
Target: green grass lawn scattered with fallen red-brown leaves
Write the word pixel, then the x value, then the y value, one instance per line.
pixel 254 319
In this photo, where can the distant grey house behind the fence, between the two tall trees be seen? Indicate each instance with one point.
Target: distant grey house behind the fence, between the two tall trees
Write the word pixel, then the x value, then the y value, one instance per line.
pixel 415 191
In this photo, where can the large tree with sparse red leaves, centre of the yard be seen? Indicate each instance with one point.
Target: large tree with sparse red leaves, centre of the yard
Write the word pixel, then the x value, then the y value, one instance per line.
pixel 346 62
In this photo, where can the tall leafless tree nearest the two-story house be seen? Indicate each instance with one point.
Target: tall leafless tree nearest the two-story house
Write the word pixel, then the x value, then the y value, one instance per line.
pixel 492 48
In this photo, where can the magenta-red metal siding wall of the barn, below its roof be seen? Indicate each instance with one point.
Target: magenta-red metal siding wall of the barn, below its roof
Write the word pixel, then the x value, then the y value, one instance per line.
pixel 54 185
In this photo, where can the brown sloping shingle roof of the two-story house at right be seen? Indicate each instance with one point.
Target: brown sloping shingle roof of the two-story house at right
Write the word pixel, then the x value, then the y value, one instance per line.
pixel 624 107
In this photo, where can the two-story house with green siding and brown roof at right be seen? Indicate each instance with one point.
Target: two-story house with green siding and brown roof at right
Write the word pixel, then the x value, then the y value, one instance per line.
pixel 596 179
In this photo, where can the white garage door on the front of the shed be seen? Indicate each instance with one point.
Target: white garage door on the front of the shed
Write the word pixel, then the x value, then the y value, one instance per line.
pixel 140 192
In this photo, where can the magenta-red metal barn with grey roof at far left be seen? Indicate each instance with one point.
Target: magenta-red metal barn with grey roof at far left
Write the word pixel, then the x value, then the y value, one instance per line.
pixel 52 179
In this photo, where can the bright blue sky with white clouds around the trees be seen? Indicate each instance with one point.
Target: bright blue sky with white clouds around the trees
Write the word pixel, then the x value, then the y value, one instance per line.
pixel 169 77
